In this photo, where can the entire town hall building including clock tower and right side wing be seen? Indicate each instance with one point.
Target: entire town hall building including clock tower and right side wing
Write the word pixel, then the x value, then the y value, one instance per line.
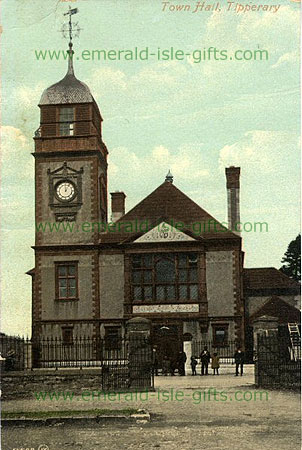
pixel 167 259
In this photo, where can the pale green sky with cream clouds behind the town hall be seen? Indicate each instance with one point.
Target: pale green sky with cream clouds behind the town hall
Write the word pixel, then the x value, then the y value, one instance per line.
pixel 194 119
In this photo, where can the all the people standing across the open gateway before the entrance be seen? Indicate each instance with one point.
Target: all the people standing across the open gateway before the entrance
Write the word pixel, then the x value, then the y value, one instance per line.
pixel 169 366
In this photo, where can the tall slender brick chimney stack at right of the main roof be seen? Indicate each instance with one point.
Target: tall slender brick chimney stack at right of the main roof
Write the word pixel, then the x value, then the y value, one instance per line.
pixel 233 187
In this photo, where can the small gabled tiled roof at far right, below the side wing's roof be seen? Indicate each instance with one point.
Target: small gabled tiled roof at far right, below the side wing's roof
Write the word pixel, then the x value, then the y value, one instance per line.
pixel 276 307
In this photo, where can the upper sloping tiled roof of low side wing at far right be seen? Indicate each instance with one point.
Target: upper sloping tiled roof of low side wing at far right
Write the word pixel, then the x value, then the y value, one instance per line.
pixel 267 278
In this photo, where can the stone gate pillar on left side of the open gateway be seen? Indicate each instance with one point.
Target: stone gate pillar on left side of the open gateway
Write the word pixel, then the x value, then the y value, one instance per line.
pixel 140 353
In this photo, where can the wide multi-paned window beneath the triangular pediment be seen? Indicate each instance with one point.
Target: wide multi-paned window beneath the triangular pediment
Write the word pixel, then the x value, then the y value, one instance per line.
pixel 164 277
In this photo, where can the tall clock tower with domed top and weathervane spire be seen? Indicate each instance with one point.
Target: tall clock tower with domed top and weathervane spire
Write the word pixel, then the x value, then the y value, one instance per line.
pixel 70 208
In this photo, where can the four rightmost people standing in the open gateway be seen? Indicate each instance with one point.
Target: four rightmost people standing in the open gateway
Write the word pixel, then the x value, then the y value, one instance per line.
pixel 205 358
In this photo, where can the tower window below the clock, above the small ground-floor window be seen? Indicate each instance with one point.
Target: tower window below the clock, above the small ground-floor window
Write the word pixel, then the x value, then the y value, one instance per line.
pixel 67 281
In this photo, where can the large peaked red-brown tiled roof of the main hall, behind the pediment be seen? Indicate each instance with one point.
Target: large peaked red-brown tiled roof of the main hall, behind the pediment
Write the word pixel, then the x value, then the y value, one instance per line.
pixel 168 204
